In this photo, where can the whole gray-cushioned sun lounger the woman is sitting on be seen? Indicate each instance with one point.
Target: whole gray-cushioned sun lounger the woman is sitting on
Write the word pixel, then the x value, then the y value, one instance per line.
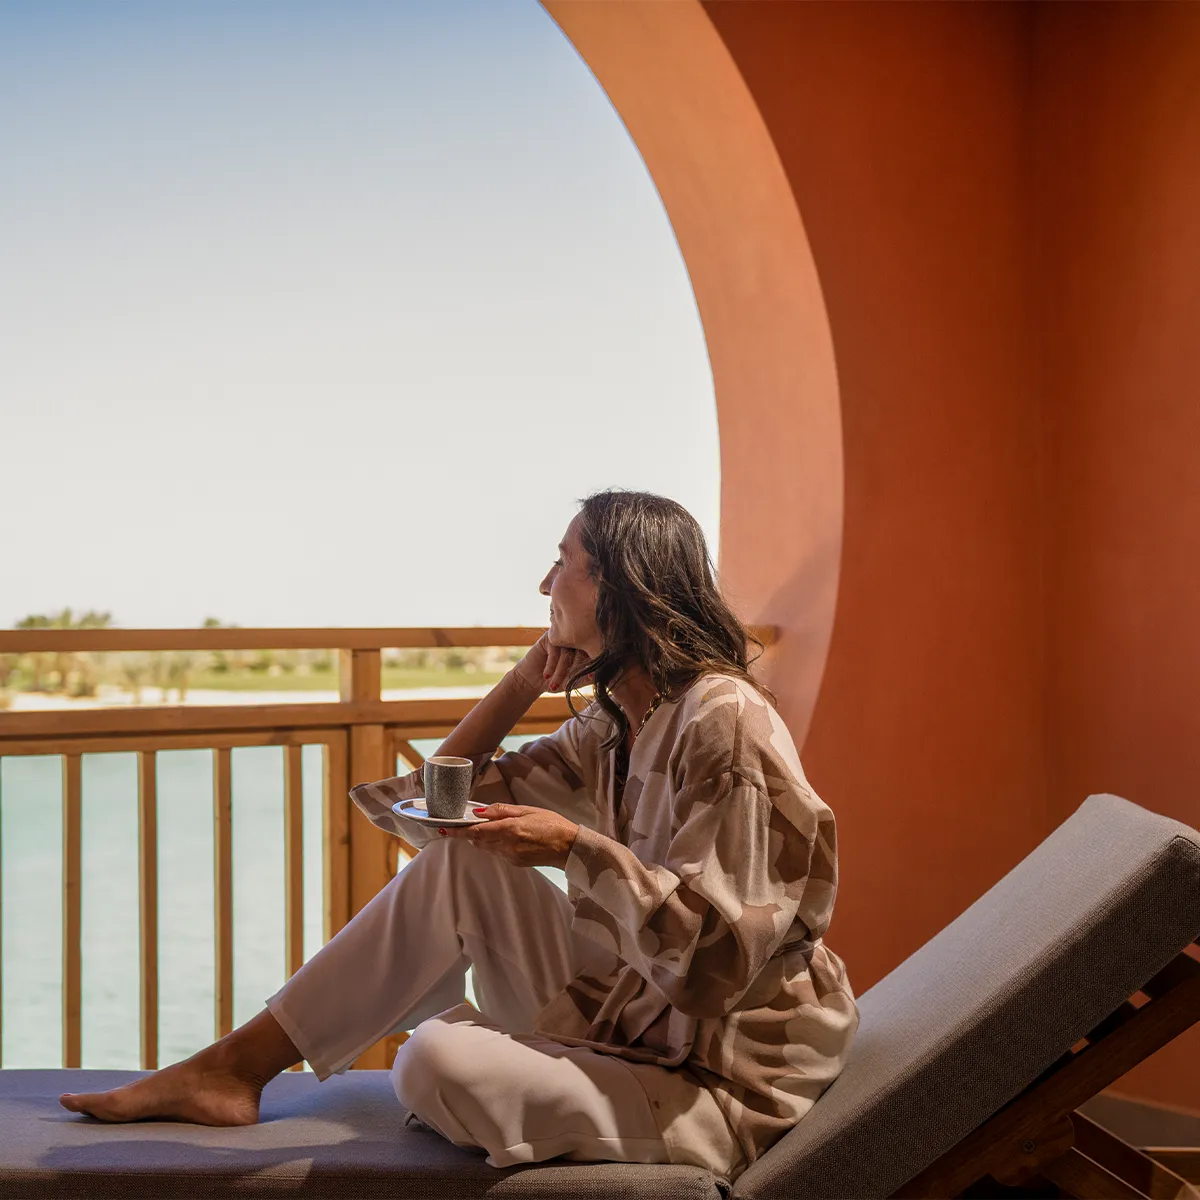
pixel 970 1066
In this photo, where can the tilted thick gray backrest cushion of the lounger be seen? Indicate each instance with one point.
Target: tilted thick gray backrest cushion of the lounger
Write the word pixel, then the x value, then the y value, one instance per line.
pixel 980 1012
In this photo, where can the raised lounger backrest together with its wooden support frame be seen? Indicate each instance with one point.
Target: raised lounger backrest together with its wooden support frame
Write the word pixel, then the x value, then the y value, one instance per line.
pixel 974 1054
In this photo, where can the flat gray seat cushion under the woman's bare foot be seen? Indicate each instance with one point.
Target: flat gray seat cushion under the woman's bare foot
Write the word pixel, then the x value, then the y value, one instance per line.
pixel 344 1138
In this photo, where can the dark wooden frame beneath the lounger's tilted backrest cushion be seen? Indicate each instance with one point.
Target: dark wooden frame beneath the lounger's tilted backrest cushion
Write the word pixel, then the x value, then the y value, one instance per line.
pixel 1039 1141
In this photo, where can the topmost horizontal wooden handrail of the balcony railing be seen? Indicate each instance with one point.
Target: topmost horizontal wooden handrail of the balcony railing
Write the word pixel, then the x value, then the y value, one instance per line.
pixel 29 641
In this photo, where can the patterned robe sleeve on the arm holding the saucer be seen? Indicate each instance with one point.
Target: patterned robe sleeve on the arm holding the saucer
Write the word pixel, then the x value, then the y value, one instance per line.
pixel 704 923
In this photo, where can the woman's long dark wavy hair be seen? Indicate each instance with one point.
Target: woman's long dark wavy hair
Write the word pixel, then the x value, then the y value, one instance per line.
pixel 658 605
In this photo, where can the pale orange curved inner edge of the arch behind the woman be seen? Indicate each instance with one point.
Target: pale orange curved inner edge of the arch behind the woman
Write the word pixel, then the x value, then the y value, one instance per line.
pixel 689 112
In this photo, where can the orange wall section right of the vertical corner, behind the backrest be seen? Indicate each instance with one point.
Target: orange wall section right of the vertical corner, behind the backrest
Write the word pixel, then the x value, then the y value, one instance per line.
pixel 1118 179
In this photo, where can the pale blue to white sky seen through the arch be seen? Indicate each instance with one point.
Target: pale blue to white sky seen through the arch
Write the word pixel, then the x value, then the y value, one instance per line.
pixel 325 314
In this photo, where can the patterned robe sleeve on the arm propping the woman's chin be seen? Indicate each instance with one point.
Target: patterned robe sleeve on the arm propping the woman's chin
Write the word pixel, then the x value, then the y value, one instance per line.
pixel 554 772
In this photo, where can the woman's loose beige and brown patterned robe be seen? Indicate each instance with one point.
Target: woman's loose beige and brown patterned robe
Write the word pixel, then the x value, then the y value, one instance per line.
pixel 712 880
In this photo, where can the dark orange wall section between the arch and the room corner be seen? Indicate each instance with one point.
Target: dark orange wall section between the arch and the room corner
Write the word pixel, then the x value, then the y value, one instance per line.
pixel 902 129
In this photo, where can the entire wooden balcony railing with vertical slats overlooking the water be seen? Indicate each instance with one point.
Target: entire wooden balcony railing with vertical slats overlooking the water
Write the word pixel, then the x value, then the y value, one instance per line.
pixel 364 737
